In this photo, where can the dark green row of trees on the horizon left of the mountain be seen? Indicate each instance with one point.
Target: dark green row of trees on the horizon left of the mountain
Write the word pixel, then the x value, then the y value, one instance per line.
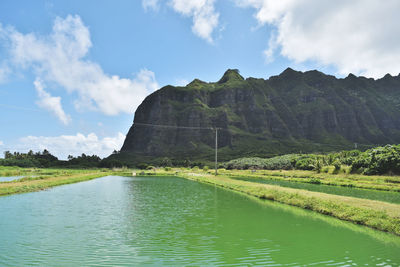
pixel 46 160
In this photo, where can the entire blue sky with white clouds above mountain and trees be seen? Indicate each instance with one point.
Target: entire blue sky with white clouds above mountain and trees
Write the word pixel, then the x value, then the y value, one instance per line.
pixel 72 73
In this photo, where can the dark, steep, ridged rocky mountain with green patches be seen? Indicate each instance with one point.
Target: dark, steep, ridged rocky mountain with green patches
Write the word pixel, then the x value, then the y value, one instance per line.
pixel 291 112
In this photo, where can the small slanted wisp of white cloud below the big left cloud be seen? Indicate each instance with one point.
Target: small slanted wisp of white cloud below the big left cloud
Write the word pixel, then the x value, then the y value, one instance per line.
pixel 51 103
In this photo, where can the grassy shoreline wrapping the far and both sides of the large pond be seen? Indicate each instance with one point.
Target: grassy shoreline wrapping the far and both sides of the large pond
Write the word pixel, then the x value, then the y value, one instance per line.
pixel 379 215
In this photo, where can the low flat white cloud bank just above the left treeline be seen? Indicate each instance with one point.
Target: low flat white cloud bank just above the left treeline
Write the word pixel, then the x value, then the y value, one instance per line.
pixel 64 145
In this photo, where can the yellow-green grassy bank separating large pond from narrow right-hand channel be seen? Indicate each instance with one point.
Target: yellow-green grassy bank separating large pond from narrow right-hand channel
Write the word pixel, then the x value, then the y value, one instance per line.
pixel 376 214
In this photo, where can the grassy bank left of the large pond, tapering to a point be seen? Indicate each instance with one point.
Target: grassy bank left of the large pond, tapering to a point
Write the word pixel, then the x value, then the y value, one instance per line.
pixel 39 179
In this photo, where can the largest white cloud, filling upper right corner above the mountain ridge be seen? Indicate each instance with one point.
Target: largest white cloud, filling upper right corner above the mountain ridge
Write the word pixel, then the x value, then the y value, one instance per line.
pixel 360 36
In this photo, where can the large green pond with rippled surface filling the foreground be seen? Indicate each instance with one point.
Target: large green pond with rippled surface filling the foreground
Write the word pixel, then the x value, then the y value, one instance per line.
pixel 120 221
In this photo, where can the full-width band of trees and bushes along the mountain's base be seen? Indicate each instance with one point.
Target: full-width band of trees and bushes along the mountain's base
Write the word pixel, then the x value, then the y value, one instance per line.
pixel 379 160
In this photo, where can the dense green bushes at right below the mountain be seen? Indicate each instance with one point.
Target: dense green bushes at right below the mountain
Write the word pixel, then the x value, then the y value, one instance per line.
pixel 379 160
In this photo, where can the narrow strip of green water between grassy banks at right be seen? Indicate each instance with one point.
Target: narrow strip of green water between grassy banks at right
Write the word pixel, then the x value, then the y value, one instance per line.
pixel 393 197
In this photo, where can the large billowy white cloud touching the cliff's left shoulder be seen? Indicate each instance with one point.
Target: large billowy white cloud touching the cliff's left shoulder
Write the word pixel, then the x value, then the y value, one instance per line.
pixel 59 59
